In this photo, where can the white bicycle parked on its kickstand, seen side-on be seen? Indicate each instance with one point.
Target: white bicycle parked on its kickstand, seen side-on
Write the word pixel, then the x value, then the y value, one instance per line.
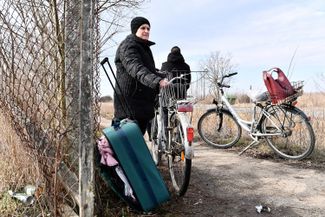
pixel 286 128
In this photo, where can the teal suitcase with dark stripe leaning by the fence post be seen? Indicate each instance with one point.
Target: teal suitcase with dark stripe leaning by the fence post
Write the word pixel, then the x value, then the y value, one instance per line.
pixel 134 158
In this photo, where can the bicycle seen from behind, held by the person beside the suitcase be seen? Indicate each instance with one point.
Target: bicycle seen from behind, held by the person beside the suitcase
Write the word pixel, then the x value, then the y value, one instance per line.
pixel 172 135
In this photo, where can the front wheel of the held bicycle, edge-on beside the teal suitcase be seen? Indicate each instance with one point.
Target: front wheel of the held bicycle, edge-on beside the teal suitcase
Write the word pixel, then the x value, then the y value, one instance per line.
pixel 155 149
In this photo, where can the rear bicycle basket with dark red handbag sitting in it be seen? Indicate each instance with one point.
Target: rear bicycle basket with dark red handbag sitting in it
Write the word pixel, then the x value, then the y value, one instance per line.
pixel 280 89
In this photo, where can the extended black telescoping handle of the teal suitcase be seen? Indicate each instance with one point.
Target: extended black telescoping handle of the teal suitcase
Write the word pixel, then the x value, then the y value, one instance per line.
pixel 122 100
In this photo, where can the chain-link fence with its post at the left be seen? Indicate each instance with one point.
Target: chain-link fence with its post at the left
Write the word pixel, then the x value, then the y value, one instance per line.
pixel 49 85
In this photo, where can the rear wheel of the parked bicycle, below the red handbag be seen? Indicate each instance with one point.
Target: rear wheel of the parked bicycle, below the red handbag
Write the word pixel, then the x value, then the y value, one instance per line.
pixel 293 136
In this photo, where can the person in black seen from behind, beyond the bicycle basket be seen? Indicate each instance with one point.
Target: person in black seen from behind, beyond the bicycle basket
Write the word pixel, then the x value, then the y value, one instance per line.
pixel 175 67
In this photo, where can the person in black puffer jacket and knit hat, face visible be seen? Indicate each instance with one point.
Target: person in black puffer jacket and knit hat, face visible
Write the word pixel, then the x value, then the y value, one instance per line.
pixel 136 75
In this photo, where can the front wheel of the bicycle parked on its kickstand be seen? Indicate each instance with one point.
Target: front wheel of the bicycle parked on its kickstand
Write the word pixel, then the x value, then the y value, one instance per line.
pixel 219 128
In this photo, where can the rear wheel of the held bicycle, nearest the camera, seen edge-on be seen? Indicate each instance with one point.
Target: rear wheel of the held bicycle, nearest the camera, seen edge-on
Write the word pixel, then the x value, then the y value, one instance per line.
pixel 179 166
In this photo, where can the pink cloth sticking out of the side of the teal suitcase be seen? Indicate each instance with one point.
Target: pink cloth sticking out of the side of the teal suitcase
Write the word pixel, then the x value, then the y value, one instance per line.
pixel 106 152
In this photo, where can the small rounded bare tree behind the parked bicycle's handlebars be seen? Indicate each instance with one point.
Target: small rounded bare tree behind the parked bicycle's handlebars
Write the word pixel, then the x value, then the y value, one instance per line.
pixel 216 65
